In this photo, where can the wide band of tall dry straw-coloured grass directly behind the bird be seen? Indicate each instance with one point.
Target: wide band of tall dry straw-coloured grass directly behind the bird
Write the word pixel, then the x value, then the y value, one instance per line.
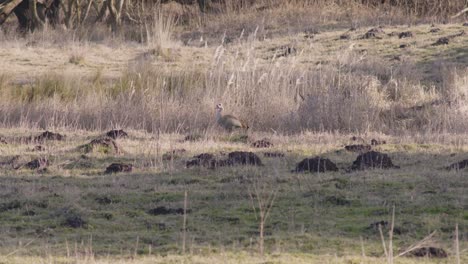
pixel 350 94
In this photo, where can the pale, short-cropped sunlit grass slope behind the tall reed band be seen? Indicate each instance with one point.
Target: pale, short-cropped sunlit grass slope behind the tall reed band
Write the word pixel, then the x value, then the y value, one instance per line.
pixel 23 61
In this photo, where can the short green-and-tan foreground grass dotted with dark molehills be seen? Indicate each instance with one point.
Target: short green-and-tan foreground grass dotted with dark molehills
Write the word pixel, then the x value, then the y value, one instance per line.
pixel 322 214
